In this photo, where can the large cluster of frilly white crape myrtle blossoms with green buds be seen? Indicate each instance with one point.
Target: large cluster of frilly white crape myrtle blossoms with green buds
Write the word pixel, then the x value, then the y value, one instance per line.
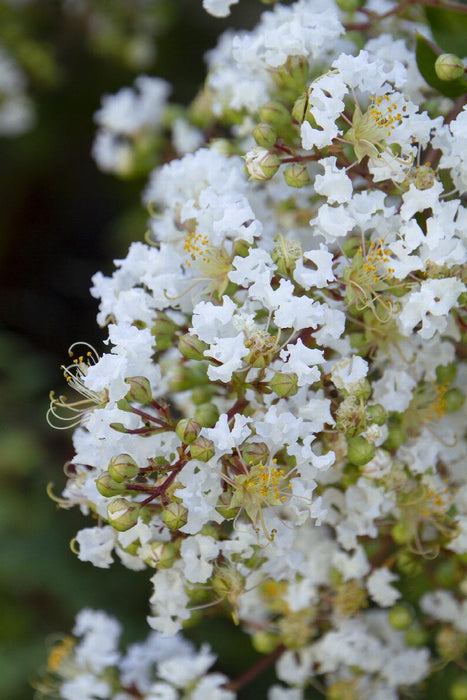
pixel 276 430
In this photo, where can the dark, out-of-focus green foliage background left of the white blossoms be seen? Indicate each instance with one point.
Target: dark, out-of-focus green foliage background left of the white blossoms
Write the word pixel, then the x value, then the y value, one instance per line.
pixel 61 220
